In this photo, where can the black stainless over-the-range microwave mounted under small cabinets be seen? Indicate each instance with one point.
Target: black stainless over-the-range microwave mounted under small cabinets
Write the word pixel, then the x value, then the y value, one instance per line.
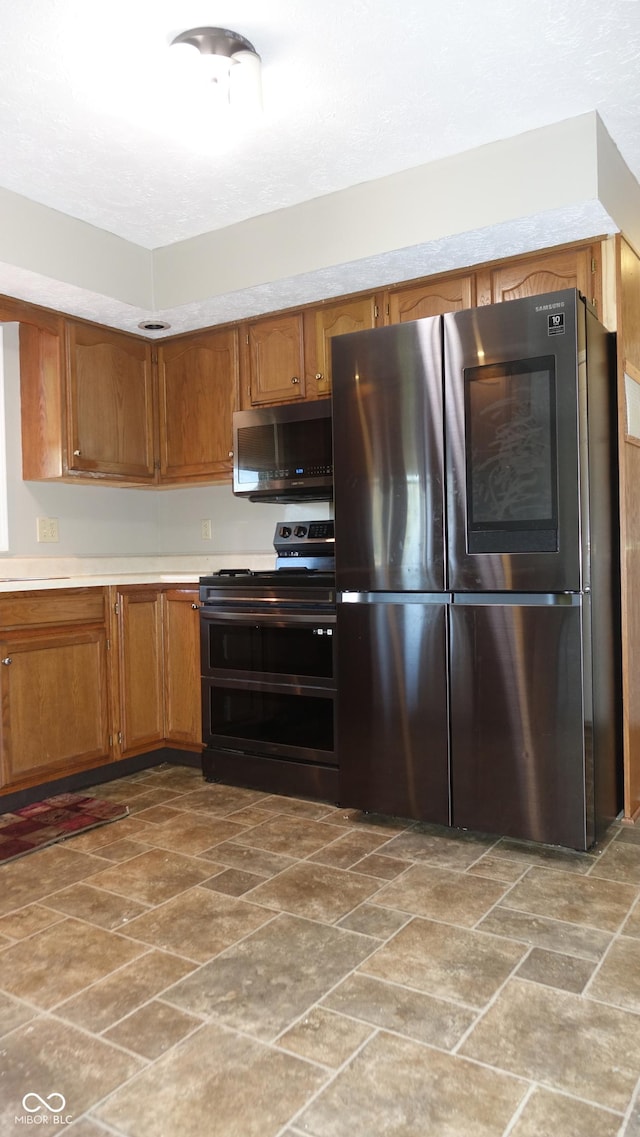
pixel 285 453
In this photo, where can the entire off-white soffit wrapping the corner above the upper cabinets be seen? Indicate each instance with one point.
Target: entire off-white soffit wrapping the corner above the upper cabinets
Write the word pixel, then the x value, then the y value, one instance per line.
pixel 560 184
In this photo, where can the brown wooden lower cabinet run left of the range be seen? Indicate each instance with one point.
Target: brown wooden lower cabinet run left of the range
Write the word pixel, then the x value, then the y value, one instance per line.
pixel 90 676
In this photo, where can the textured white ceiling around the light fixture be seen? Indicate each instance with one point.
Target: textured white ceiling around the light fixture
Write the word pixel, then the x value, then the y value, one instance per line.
pixel 94 121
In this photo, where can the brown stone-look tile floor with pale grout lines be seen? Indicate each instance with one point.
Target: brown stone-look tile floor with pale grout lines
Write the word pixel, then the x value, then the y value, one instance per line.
pixel 231 964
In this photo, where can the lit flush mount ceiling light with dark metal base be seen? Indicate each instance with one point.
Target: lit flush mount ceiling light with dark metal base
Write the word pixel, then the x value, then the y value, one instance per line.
pixel 231 64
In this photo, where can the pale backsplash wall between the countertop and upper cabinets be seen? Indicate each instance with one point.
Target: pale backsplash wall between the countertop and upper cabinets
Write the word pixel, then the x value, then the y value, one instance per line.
pixel 102 521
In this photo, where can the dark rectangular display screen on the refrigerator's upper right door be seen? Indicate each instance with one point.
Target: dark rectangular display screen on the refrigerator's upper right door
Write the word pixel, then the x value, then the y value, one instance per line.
pixel 511 457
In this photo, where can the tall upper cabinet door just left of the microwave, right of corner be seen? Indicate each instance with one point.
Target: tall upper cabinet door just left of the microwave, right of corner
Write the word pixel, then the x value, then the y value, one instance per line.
pixel 198 394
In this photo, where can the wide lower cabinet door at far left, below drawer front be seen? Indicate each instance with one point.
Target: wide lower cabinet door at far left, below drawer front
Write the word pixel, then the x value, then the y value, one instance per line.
pixel 55 706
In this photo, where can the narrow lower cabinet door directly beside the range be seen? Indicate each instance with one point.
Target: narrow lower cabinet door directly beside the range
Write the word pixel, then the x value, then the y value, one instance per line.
pixel 181 621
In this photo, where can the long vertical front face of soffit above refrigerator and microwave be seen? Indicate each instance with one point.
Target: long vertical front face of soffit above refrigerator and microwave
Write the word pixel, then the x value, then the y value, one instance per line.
pixel 418 206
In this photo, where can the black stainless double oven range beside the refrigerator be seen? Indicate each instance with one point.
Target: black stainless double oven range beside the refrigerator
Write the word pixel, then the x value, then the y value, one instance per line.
pixel 268 666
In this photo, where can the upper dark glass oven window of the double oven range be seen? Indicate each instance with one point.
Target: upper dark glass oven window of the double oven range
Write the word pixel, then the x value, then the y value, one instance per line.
pixel 271 650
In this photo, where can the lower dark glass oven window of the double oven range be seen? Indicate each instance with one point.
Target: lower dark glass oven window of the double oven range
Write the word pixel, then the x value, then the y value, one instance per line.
pixel 273 720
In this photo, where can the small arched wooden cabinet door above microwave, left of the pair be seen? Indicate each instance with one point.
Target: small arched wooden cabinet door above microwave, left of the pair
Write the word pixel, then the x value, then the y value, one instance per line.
pixel 276 361
